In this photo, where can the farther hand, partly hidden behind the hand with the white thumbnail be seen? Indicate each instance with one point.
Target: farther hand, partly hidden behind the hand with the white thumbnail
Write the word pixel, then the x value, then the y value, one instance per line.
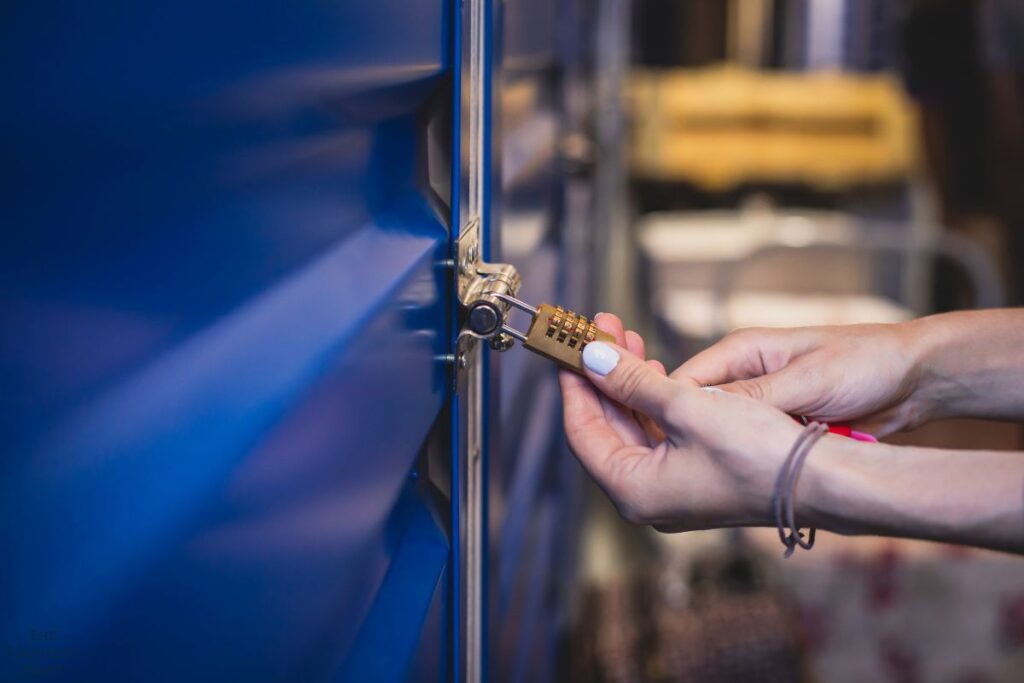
pixel 867 375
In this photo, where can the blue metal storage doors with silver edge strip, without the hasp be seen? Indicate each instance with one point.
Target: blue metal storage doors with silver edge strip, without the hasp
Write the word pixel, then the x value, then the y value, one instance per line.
pixel 236 447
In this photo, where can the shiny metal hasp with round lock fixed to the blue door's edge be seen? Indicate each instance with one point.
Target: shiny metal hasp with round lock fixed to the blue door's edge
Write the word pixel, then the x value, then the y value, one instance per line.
pixel 486 293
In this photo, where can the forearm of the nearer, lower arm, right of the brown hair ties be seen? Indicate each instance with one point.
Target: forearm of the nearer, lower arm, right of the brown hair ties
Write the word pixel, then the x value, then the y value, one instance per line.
pixel 971 498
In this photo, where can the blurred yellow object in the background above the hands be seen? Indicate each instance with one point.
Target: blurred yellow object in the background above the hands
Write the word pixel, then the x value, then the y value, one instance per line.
pixel 723 126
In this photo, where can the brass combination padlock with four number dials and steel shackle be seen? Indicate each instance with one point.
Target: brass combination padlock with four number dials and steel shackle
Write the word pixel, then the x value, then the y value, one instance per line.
pixel 556 333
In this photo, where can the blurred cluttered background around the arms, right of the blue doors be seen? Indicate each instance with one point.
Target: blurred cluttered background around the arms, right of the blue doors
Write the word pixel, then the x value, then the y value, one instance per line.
pixel 809 162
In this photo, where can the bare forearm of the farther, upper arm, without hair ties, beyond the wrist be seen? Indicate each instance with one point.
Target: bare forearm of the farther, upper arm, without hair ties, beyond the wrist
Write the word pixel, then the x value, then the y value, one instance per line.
pixel 969 364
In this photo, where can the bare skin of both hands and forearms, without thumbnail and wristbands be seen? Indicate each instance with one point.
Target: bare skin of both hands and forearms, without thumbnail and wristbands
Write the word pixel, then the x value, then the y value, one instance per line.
pixel 676 457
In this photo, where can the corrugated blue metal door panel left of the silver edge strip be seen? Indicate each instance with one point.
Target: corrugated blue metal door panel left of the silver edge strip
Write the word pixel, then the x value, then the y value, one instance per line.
pixel 222 314
